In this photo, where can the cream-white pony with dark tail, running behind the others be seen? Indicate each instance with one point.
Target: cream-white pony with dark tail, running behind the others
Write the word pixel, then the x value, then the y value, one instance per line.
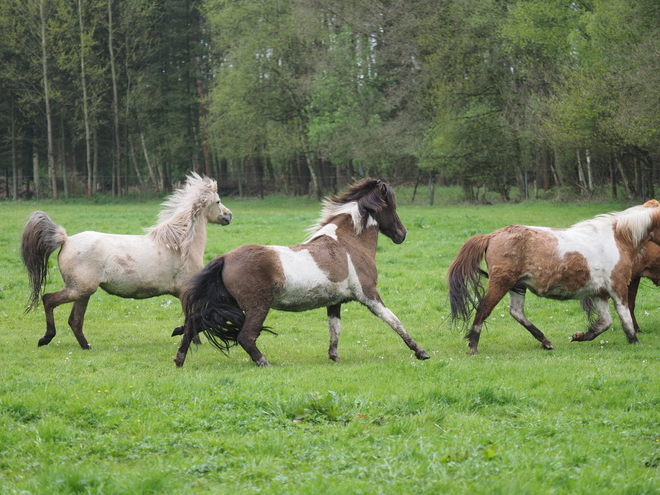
pixel 132 266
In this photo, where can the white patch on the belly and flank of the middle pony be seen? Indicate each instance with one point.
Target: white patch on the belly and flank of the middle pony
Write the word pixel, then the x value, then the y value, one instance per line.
pixel 307 286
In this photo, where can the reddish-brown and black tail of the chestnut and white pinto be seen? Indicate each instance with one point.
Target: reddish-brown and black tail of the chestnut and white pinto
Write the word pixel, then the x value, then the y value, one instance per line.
pixel 466 290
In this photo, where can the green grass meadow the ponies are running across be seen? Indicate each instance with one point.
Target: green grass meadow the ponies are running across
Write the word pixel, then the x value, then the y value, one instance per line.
pixel 121 419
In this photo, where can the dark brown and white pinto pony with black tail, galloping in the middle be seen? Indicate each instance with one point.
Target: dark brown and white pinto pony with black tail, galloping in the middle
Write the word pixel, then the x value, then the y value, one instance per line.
pixel 231 297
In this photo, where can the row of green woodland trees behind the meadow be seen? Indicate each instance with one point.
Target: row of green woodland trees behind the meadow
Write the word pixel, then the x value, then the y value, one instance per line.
pixel 301 96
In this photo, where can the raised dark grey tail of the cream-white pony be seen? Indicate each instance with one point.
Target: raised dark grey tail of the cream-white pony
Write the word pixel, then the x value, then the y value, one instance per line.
pixel 41 237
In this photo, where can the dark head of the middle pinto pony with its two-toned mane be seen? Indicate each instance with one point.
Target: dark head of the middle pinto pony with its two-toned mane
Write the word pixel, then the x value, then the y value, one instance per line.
pixel 369 202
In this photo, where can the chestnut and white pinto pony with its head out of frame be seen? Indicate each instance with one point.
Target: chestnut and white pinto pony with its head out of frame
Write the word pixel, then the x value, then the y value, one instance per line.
pixel 592 260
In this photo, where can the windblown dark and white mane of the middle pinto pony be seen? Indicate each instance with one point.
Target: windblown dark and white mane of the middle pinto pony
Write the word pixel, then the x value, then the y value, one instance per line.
pixel 368 195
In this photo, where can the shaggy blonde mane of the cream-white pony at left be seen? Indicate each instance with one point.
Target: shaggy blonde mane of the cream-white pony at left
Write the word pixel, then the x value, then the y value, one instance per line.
pixel 178 220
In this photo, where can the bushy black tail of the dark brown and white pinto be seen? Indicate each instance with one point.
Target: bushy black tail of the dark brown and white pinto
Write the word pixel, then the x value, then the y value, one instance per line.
pixel 211 309
